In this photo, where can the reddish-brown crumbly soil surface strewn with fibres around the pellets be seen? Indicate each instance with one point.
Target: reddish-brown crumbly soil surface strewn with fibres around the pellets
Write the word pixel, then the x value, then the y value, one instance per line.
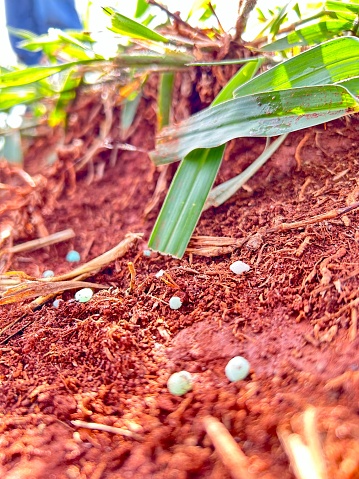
pixel 107 361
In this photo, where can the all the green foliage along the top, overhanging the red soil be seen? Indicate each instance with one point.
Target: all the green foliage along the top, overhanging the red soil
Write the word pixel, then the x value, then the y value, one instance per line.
pixel 311 88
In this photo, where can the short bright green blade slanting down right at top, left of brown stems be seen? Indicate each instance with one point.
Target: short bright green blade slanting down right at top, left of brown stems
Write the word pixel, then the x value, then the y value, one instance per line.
pixel 132 29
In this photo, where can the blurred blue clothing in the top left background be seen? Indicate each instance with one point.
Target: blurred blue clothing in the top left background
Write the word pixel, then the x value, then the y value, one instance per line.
pixel 37 16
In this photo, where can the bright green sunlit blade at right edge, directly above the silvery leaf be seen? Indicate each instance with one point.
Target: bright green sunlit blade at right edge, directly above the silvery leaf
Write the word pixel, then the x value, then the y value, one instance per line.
pixel 331 62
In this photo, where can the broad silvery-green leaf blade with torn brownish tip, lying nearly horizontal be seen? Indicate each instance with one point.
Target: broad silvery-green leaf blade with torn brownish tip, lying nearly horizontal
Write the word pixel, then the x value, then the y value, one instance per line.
pixel 264 114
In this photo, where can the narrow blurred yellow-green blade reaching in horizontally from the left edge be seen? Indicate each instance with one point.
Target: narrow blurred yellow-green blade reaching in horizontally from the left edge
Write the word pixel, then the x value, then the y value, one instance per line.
pixel 34 74
